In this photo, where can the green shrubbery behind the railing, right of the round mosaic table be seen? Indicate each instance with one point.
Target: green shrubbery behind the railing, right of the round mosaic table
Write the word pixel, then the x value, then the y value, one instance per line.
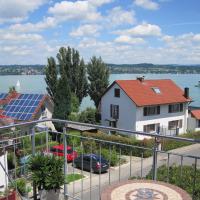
pixel 186 182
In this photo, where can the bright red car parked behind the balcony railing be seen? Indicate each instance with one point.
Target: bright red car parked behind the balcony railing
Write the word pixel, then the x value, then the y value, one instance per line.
pixel 58 150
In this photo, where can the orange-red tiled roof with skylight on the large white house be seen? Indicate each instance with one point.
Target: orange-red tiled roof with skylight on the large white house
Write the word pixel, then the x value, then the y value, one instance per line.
pixel 142 94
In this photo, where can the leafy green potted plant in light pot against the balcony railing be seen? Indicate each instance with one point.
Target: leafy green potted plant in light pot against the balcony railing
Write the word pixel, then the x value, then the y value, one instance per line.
pixel 47 174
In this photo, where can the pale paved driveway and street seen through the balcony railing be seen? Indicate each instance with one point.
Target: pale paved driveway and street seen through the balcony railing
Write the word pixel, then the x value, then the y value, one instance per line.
pixel 127 170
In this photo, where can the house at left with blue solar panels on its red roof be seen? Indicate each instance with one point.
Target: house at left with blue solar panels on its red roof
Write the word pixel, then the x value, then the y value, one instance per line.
pixel 16 108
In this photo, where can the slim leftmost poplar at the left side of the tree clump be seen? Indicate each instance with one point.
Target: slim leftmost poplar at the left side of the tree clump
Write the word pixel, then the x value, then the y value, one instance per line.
pixel 51 77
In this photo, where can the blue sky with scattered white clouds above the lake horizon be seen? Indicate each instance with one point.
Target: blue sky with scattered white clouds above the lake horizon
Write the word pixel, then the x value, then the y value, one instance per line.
pixel 120 31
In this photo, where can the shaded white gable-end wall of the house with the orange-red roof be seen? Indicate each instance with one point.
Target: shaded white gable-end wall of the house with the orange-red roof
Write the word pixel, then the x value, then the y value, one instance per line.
pixel 127 109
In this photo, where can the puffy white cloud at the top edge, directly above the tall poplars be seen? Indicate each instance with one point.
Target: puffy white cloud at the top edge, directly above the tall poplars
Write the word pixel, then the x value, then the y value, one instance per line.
pixel 81 10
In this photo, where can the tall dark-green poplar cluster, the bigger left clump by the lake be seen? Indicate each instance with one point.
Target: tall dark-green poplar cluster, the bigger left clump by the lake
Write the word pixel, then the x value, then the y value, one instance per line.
pixel 68 89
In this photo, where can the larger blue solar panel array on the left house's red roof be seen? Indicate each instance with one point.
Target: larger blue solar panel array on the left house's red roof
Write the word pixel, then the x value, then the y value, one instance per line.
pixel 23 107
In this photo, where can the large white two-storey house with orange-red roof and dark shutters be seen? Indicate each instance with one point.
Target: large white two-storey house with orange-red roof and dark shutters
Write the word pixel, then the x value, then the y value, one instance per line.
pixel 152 106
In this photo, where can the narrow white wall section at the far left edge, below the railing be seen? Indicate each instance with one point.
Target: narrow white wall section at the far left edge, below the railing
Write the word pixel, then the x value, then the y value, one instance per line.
pixel 3 177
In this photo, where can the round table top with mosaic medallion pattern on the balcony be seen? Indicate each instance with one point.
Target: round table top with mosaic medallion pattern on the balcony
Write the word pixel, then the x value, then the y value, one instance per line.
pixel 144 190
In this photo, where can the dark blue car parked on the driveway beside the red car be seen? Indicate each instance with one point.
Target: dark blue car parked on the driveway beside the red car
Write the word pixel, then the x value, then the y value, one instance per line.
pixel 91 162
